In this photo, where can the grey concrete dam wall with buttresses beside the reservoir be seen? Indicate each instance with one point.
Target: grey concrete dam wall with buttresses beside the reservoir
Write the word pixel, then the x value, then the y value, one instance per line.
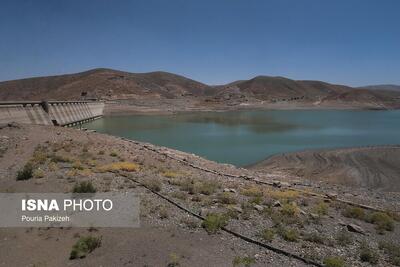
pixel 58 113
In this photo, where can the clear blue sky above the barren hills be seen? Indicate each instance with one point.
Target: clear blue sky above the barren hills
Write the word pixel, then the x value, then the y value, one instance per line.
pixel 353 42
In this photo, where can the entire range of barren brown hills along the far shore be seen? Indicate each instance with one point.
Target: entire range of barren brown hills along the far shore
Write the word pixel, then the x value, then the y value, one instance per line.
pixel 151 87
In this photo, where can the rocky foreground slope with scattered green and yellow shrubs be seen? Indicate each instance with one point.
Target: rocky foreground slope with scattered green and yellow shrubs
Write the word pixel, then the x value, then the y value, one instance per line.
pixel 291 217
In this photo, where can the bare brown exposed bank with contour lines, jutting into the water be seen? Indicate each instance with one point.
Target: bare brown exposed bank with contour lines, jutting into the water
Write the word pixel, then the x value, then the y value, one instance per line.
pixel 369 167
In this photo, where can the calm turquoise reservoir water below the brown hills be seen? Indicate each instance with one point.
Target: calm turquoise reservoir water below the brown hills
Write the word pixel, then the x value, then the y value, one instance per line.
pixel 245 137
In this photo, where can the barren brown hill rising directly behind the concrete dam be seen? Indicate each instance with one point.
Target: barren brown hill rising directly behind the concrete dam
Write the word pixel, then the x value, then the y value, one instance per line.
pixel 101 83
